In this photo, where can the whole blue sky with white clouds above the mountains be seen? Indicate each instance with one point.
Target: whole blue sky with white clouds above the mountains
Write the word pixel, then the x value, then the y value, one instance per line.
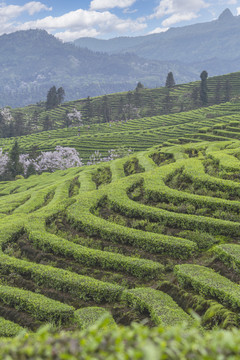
pixel 71 19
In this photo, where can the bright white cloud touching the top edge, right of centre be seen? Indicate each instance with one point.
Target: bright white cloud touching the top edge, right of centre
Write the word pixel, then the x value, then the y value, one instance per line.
pixel 179 10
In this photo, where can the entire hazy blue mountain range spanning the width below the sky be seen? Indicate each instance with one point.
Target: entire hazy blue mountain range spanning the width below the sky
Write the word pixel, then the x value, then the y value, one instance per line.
pixel 32 61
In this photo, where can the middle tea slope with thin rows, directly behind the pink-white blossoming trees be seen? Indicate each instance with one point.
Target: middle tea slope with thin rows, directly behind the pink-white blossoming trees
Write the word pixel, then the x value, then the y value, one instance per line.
pixel 217 122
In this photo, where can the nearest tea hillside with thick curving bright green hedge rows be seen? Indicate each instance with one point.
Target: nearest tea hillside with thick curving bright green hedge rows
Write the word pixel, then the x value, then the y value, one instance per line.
pixel 142 238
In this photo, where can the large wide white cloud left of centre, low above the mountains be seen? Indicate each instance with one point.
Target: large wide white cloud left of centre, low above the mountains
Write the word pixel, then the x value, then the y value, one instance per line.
pixel 84 23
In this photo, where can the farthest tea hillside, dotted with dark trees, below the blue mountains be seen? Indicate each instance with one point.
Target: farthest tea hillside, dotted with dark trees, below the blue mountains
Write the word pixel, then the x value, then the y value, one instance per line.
pixel 127 105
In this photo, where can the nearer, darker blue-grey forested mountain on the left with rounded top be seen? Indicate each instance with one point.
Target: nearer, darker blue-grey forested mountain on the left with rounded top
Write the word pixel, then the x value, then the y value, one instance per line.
pixel 32 61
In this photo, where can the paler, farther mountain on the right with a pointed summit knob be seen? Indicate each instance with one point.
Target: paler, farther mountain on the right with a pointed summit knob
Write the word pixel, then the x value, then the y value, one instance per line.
pixel 217 40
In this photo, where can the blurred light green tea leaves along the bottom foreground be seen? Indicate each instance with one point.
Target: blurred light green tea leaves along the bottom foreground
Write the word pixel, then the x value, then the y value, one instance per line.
pixel 132 342
